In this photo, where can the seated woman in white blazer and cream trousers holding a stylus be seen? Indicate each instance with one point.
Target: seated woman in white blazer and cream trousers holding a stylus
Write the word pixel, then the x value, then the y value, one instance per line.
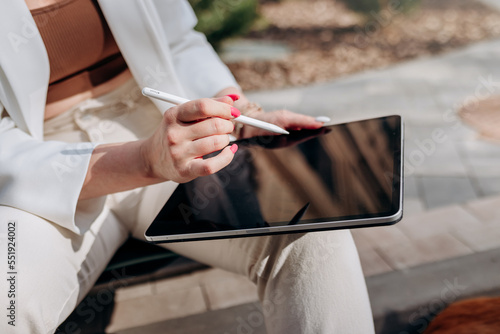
pixel 87 161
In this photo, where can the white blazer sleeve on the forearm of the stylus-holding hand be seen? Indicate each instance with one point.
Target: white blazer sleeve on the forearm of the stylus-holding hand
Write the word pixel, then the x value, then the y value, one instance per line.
pixel 45 177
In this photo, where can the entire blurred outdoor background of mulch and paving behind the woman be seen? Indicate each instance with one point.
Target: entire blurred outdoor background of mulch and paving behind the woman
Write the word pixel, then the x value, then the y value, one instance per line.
pixel 436 63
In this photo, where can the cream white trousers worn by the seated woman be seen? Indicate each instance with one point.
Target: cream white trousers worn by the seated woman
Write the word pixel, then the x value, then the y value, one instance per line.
pixel 307 283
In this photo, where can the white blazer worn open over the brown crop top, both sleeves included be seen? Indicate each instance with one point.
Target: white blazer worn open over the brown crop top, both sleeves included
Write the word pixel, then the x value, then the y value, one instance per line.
pixel 156 39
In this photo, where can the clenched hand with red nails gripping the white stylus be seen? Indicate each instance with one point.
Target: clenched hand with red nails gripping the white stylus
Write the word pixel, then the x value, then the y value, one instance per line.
pixel 188 132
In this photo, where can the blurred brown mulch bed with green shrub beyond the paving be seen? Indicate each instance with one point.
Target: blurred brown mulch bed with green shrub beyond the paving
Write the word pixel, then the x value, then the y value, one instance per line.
pixel 283 43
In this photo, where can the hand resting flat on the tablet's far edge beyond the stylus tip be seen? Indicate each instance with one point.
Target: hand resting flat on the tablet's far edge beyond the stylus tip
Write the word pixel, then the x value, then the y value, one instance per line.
pixel 283 118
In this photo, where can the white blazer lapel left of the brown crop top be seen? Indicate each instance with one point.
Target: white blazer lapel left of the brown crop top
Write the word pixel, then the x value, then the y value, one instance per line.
pixel 24 68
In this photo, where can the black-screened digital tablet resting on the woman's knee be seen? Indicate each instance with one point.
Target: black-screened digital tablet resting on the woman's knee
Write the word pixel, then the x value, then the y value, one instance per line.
pixel 338 177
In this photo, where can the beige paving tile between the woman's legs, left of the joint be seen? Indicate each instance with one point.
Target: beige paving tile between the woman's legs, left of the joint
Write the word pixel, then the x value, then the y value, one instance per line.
pixel 158 307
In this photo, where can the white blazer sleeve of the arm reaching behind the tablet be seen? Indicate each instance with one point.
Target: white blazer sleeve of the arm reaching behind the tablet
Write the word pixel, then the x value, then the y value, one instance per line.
pixel 200 70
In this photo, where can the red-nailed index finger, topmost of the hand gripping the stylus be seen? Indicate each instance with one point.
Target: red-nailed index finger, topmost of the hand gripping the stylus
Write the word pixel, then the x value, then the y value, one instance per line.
pixel 206 108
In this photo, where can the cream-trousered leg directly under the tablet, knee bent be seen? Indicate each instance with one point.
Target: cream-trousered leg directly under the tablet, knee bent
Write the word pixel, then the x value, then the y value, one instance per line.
pixel 307 282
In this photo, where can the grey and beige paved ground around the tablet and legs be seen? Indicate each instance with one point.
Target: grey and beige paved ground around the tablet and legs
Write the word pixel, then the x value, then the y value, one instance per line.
pixel 451 219
